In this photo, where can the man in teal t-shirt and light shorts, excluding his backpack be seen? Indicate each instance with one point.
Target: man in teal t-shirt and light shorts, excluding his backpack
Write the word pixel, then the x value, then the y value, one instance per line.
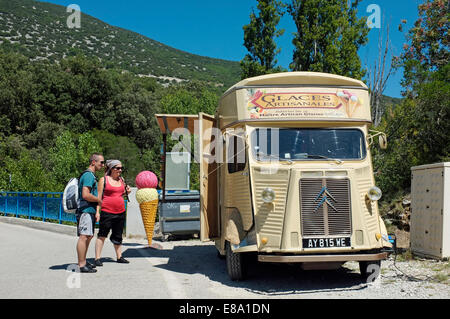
pixel 86 212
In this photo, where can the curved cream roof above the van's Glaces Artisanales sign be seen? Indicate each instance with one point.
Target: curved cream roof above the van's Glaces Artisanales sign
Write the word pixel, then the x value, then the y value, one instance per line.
pixel 297 78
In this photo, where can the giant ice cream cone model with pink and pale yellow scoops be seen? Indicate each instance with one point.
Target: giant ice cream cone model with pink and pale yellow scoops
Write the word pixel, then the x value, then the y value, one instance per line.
pixel 147 197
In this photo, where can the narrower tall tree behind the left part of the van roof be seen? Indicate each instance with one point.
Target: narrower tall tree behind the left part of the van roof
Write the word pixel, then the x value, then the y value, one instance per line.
pixel 259 37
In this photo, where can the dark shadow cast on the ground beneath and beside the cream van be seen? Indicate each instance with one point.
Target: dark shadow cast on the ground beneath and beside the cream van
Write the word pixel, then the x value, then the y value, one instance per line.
pixel 262 278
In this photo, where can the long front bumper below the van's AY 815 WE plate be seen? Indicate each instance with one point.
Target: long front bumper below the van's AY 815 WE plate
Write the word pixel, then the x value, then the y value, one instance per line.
pixel 322 258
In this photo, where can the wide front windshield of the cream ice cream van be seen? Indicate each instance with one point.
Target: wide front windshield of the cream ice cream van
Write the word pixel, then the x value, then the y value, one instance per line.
pixel 307 144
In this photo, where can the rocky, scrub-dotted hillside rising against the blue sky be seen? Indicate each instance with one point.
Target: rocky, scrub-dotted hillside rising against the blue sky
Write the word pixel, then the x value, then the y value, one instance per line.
pixel 39 31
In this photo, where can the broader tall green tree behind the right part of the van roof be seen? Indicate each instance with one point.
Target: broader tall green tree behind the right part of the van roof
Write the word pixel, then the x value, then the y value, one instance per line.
pixel 328 37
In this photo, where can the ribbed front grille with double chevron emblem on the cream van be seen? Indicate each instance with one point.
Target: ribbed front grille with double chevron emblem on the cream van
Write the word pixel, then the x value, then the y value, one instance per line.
pixel 325 206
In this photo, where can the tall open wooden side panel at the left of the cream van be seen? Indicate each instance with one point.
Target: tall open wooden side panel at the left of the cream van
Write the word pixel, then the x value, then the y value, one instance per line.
pixel 209 218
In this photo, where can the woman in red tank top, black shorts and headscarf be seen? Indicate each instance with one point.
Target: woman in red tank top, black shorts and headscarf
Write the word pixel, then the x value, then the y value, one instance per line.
pixel 111 189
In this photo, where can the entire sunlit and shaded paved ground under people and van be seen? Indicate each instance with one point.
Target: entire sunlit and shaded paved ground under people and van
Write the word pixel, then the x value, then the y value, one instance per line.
pixel 34 264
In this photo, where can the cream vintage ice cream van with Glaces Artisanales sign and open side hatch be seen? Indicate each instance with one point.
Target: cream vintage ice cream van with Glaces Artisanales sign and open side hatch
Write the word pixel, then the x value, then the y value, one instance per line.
pixel 286 173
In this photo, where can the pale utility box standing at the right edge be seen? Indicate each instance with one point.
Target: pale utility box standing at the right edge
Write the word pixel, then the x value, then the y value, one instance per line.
pixel 430 210
